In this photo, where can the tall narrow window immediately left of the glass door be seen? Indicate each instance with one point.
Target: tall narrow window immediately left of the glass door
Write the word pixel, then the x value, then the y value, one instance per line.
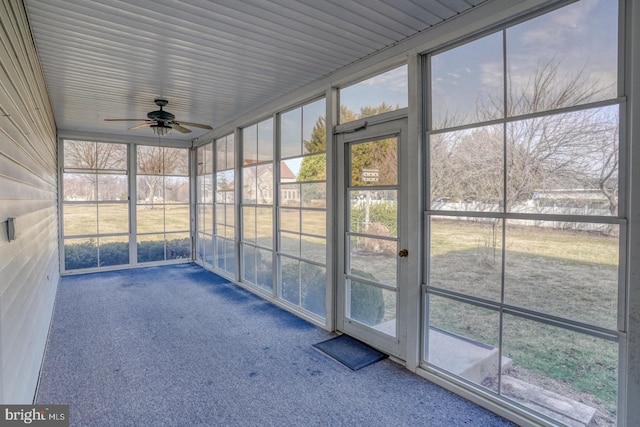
pixel 302 210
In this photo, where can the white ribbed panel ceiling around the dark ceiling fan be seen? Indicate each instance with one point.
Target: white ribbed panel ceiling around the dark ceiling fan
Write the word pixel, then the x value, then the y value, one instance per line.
pixel 213 60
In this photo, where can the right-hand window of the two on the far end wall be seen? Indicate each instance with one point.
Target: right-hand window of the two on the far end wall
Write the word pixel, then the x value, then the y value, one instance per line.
pixel 163 221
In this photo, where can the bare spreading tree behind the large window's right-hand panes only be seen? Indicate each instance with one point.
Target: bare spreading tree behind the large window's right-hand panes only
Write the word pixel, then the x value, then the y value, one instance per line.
pixel 578 149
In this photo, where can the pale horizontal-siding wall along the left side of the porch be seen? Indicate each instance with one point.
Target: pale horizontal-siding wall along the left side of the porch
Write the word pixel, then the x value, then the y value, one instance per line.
pixel 29 271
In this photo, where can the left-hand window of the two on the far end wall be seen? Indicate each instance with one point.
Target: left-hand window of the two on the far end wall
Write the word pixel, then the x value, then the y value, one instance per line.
pixel 95 208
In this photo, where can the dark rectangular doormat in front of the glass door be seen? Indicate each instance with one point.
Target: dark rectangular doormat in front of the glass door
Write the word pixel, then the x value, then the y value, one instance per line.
pixel 350 352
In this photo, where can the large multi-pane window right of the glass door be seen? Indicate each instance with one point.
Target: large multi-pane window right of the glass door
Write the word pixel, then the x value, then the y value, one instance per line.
pixel 524 229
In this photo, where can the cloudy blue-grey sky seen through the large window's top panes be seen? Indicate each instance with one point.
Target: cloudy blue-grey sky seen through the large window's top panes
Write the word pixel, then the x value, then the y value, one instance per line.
pixel 580 36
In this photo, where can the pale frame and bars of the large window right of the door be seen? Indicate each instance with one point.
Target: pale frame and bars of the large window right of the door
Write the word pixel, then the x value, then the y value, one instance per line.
pixel 616 335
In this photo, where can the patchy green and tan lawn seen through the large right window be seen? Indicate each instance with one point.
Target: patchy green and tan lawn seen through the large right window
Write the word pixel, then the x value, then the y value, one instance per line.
pixel 568 274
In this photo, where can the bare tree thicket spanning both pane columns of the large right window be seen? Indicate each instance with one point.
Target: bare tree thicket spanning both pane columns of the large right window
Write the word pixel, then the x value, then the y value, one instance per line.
pixel 573 150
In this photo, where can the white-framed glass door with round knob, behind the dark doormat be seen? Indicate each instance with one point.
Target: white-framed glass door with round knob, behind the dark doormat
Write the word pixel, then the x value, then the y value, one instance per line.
pixel 369 233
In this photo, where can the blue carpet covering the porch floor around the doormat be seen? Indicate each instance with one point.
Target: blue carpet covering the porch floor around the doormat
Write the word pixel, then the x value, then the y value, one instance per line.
pixel 180 346
